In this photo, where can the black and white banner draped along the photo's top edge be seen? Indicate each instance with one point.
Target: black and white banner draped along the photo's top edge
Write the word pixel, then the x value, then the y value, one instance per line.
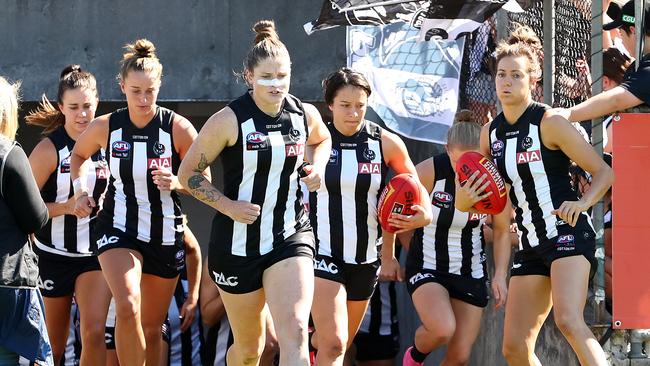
pixel 381 12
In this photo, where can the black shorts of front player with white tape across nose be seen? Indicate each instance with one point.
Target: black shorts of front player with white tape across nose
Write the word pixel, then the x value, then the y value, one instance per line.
pixel 240 275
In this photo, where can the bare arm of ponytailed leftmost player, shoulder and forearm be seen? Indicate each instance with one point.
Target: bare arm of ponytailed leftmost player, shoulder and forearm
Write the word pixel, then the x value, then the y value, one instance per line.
pixel 43 161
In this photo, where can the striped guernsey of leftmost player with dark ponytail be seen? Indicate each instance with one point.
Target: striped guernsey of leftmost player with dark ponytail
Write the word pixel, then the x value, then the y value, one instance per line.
pixel 66 235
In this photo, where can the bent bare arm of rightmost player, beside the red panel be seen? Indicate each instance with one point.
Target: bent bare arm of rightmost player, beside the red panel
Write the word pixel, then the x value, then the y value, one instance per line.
pixel 557 133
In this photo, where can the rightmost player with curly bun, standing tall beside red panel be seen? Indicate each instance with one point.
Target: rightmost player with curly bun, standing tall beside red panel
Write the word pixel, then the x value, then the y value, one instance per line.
pixel 533 148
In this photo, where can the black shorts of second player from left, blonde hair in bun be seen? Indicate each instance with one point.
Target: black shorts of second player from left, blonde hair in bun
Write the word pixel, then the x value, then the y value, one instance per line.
pixel 159 260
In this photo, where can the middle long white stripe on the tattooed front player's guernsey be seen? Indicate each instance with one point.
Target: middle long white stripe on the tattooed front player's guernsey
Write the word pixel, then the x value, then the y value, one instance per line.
pixel 278 152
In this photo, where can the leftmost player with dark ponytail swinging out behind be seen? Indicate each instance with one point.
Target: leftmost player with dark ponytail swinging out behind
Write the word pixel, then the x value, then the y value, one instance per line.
pixel 67 264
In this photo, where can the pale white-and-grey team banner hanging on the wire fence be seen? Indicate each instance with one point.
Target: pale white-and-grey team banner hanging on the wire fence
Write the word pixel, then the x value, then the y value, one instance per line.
pixel 414 84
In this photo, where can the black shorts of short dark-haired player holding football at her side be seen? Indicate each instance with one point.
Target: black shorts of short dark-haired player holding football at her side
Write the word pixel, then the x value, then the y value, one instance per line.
pixel 359 280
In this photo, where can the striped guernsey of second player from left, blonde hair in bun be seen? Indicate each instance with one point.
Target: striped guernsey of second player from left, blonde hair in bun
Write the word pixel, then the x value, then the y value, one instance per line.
pixel 133 203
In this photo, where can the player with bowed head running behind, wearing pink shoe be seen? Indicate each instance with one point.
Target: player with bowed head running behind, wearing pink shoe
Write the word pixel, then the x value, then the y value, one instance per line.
pixel 445 271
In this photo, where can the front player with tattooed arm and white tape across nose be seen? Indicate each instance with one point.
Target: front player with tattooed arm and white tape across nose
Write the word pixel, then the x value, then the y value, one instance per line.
pixel 262 245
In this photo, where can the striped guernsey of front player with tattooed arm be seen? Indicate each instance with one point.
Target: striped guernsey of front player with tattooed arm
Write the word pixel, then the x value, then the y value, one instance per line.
pixel 262 168
